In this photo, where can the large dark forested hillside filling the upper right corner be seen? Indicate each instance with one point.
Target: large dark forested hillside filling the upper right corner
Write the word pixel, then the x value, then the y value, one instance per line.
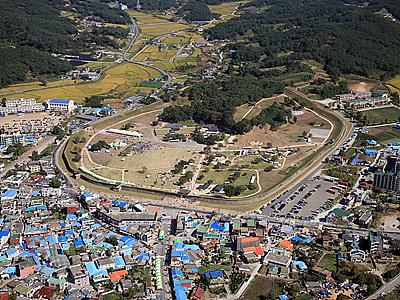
pixel 345 36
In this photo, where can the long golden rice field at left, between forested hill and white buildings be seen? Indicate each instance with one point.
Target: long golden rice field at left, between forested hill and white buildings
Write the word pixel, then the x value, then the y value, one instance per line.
pixel 120 81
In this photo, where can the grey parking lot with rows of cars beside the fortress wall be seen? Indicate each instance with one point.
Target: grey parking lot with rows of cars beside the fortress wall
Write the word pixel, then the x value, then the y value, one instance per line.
pixel 308 201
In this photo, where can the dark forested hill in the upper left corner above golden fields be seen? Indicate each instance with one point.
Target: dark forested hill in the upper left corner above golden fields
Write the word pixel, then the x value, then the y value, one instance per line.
pixel 29 32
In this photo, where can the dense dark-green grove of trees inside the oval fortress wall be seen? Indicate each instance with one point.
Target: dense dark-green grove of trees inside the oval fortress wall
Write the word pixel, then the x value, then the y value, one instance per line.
pixel 215 103
